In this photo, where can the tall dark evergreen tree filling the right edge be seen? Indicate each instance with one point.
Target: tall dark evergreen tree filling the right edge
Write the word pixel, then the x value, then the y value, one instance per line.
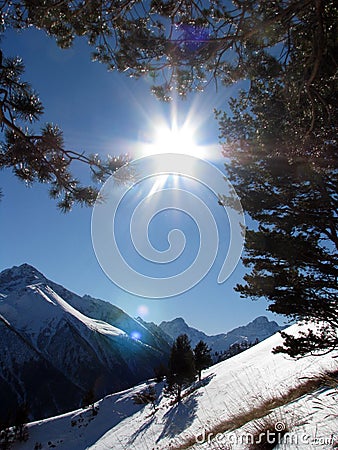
pixel 281 141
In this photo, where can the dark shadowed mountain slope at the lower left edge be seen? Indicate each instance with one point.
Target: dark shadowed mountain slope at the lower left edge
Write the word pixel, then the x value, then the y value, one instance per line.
pixel 48 393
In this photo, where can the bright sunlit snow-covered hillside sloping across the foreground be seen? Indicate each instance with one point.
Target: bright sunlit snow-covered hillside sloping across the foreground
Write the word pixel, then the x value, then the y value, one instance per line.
pixel 228 392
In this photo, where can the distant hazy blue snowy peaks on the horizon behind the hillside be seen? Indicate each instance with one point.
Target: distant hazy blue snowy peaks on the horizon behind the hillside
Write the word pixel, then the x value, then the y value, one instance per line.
pixel 260 328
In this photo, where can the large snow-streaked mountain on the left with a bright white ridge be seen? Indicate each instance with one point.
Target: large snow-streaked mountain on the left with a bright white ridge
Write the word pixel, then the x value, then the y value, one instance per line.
pixel 57 346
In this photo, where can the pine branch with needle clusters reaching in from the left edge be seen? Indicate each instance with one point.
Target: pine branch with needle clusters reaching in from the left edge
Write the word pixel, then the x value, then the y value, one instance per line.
pixel 42 157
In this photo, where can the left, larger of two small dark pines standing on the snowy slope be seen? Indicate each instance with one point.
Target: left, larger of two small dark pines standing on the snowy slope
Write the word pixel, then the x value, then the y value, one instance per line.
pixel 181 366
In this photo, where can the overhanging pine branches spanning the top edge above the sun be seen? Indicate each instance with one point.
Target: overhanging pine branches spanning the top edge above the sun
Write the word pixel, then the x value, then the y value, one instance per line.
pixel 181 45
